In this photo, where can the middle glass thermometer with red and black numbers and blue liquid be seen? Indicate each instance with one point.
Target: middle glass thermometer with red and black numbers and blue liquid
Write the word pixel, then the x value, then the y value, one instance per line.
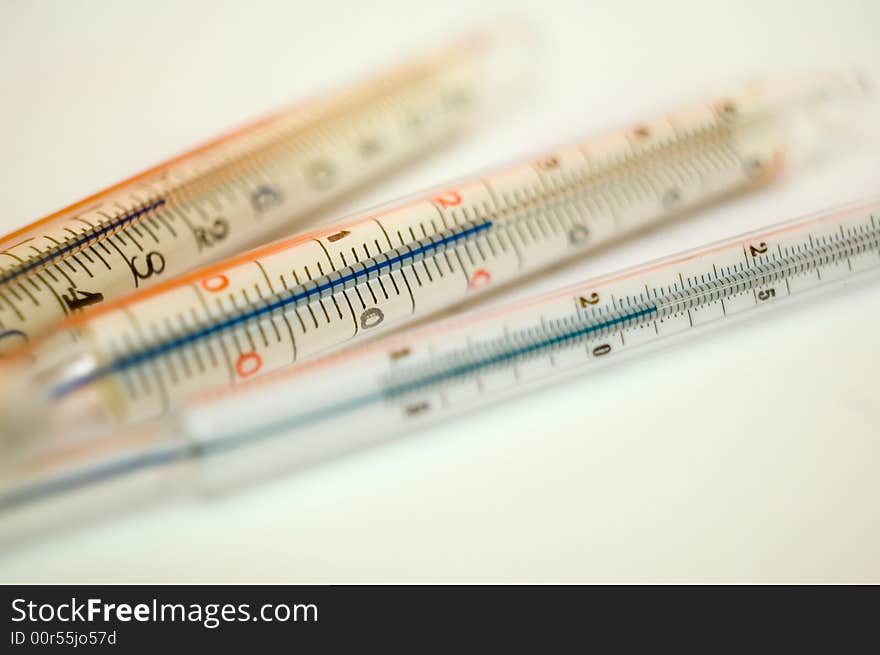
pixel 283 303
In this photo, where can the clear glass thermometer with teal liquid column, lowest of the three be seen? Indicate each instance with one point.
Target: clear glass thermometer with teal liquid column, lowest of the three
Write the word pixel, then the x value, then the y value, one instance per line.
pixel 405 381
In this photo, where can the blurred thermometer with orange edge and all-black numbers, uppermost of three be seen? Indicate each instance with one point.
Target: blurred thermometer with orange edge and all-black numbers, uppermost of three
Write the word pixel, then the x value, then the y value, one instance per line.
pixel 237 191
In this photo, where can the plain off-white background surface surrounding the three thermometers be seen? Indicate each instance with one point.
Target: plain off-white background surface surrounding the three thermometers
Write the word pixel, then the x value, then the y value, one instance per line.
pixel 749 454
